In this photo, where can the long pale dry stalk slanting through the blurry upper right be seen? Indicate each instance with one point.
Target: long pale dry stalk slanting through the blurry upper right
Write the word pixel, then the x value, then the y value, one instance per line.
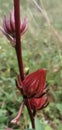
pixel 52 29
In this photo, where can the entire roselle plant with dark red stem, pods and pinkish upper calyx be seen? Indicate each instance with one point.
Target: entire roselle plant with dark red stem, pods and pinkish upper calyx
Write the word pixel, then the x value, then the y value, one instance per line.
pixel 32 86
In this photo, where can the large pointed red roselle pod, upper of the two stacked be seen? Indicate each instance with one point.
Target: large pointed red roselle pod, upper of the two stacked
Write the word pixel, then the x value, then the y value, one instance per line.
pixel 34 83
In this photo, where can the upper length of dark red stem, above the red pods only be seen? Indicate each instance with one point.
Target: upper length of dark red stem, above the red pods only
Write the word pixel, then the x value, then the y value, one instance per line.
pixel 18 37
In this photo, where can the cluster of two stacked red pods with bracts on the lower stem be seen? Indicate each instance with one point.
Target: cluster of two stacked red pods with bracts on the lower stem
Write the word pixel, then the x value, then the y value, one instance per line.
pixel 34 88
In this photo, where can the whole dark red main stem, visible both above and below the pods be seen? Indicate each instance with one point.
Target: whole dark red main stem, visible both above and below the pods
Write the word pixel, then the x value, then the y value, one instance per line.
pixel 19 52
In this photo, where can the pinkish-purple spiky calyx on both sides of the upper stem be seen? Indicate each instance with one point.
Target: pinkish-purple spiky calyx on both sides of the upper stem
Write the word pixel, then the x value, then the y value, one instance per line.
pixel 9 28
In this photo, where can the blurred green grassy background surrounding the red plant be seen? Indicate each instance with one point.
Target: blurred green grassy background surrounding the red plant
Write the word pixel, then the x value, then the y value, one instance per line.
pixel 42 47
